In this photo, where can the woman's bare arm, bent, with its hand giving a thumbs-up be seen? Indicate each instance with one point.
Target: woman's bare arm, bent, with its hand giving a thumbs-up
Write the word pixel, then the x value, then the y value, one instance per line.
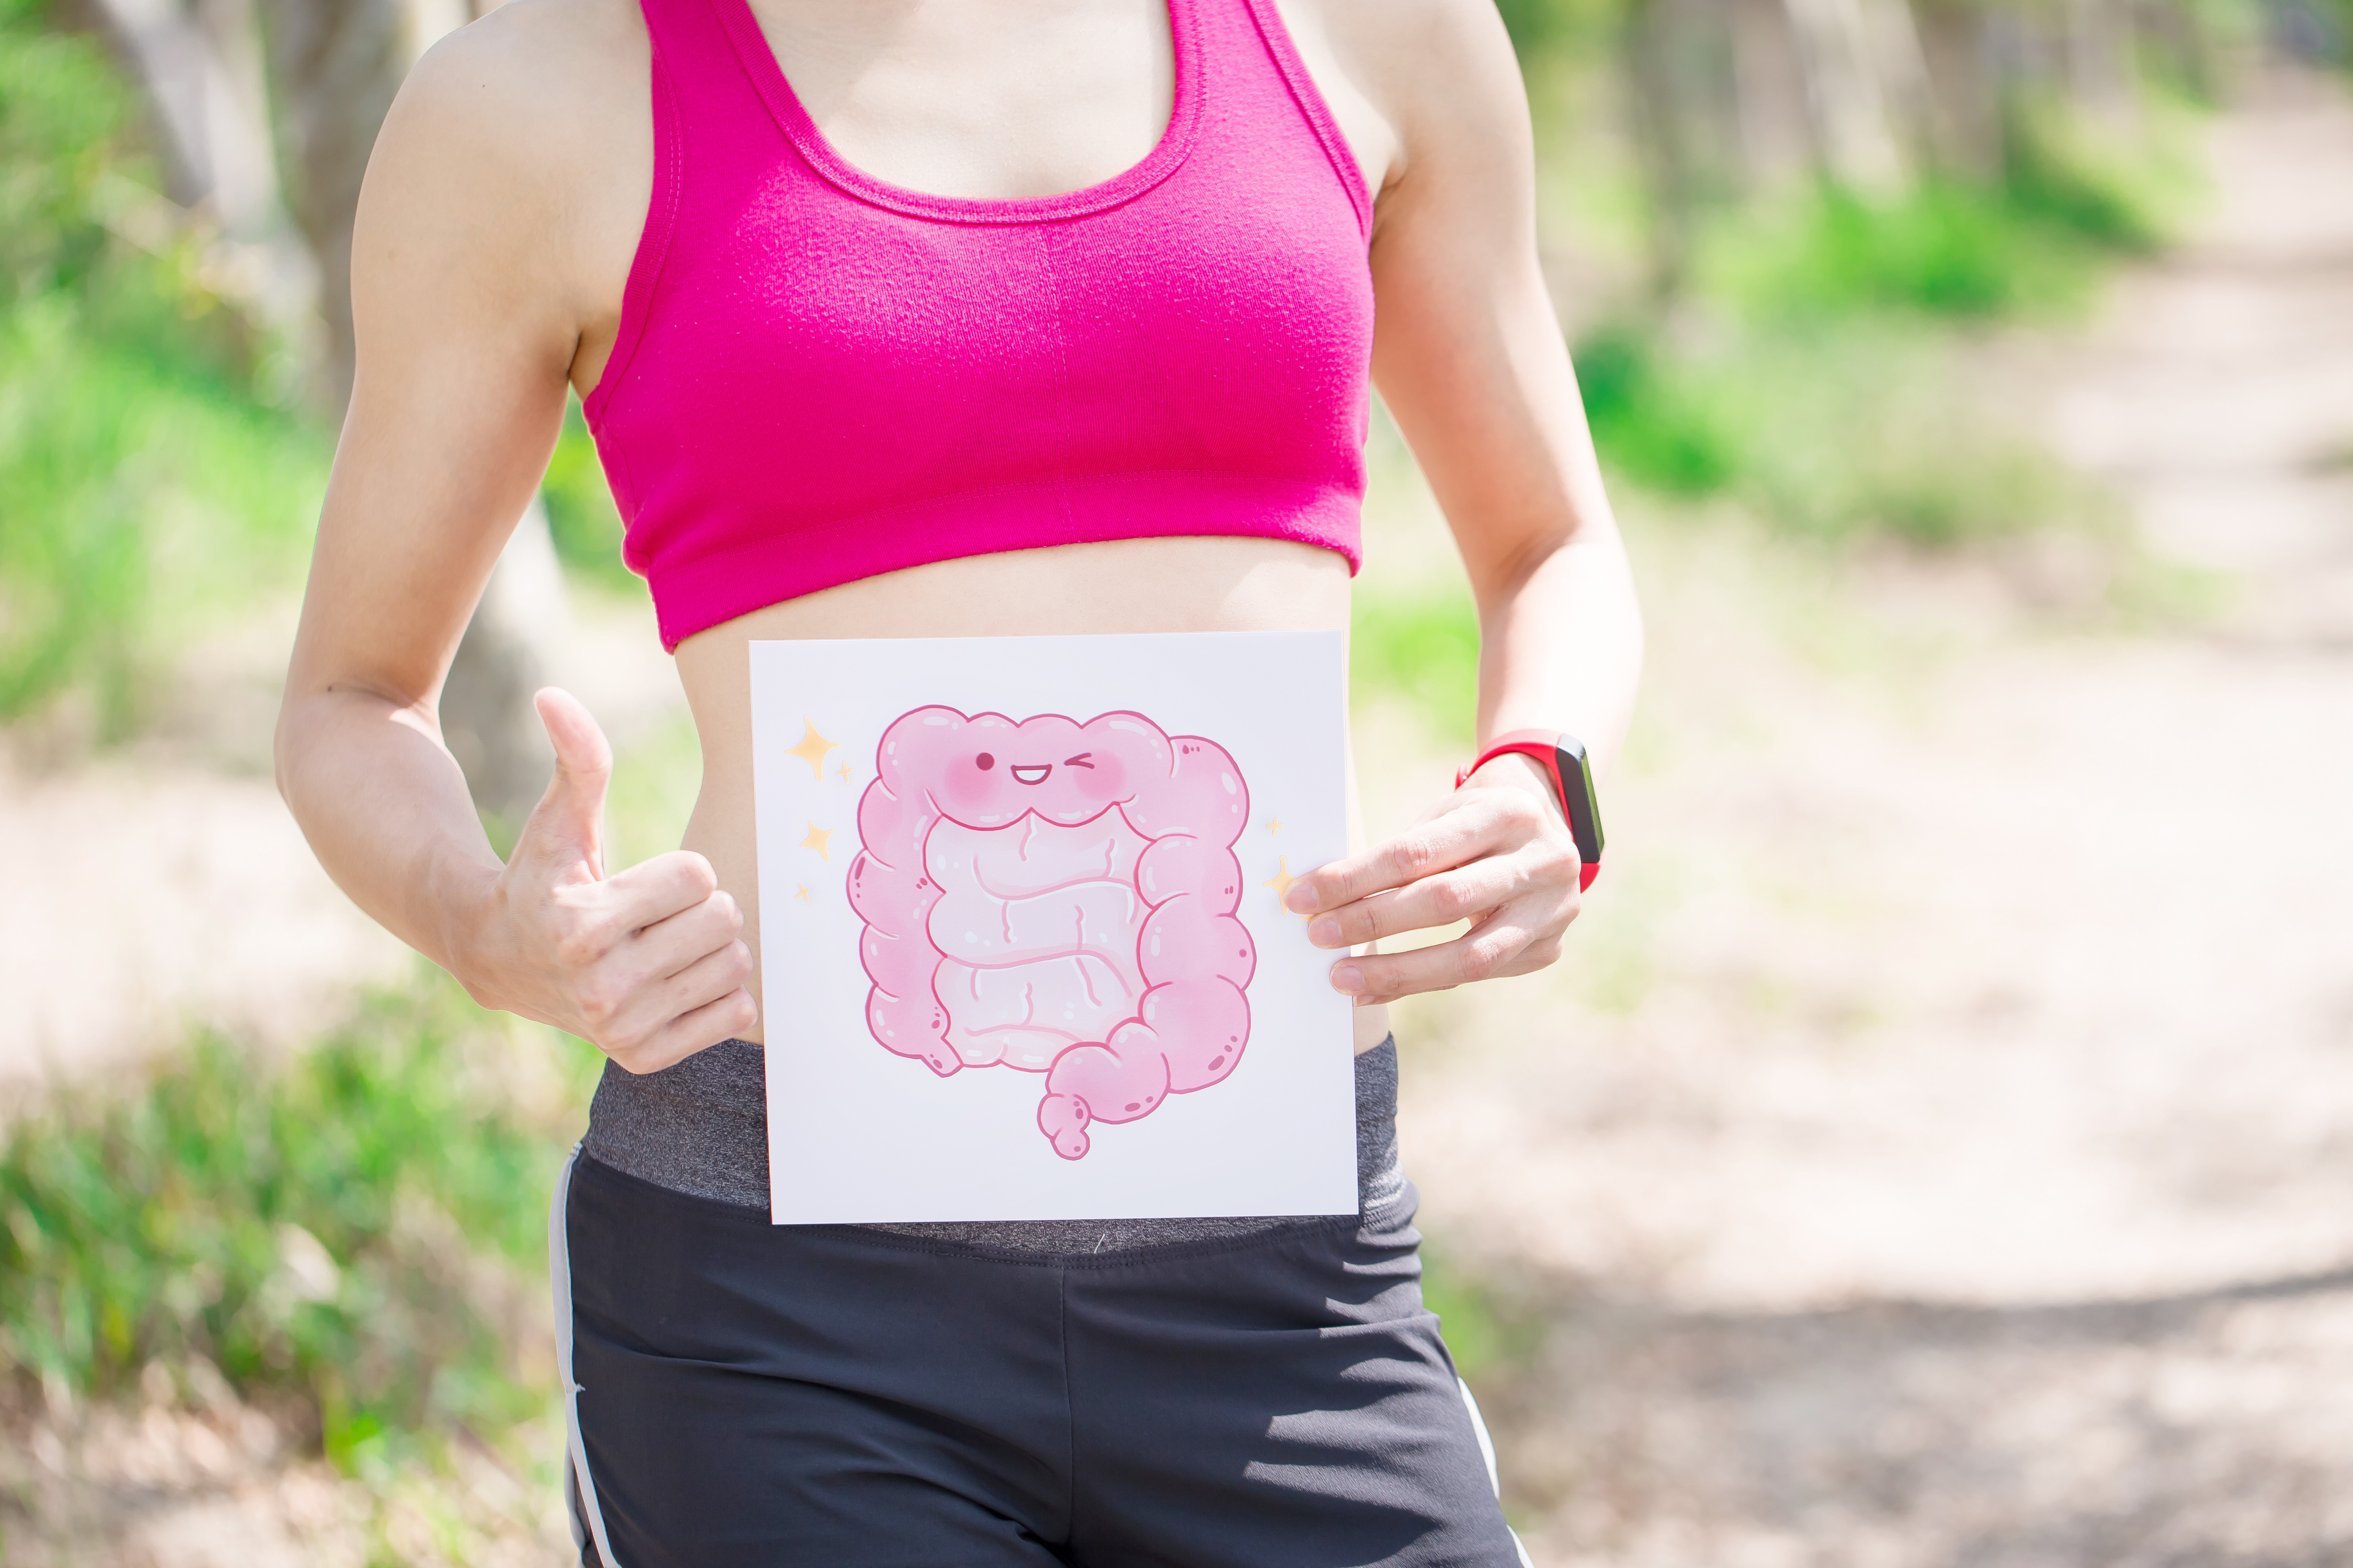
pixel 479 264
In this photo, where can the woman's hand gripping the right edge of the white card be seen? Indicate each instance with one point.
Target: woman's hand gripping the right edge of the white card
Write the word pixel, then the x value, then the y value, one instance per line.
pixel 1498 852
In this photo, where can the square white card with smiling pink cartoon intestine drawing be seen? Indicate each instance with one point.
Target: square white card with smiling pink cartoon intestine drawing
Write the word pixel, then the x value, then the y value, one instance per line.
pixel 1022 939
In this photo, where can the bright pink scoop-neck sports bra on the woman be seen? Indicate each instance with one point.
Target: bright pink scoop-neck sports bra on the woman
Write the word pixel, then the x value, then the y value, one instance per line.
pixel 822 377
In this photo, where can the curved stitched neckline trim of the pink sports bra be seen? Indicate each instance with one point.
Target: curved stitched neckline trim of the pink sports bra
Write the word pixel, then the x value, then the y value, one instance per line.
pixel 785 105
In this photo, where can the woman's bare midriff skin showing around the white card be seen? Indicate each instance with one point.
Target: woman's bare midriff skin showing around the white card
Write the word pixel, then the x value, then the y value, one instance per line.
pixel 1095 589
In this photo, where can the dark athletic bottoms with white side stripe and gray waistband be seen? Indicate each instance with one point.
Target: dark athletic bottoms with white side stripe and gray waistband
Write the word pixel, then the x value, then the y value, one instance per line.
pixel 860 1398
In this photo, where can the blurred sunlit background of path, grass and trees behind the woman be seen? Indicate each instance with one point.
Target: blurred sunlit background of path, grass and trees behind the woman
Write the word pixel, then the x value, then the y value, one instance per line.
pixel 1935 1148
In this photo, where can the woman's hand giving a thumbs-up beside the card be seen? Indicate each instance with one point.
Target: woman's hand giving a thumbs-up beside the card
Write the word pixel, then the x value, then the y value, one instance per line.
pixel 646 965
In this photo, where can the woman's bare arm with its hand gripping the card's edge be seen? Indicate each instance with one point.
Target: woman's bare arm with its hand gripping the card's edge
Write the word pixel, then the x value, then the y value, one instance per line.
pixel 1472 363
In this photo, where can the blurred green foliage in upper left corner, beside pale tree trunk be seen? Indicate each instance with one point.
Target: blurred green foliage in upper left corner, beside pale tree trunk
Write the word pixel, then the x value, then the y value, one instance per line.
pixel 145 485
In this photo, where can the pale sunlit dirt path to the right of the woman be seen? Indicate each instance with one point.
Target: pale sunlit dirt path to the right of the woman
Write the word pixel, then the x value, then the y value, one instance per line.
pixel 1940 1146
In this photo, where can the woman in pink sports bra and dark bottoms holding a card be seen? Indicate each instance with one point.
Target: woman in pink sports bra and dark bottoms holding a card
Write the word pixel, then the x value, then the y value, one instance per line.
pixel 954 321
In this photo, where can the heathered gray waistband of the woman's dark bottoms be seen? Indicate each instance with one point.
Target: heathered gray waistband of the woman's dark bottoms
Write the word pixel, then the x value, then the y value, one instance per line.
pixel 702 1130
